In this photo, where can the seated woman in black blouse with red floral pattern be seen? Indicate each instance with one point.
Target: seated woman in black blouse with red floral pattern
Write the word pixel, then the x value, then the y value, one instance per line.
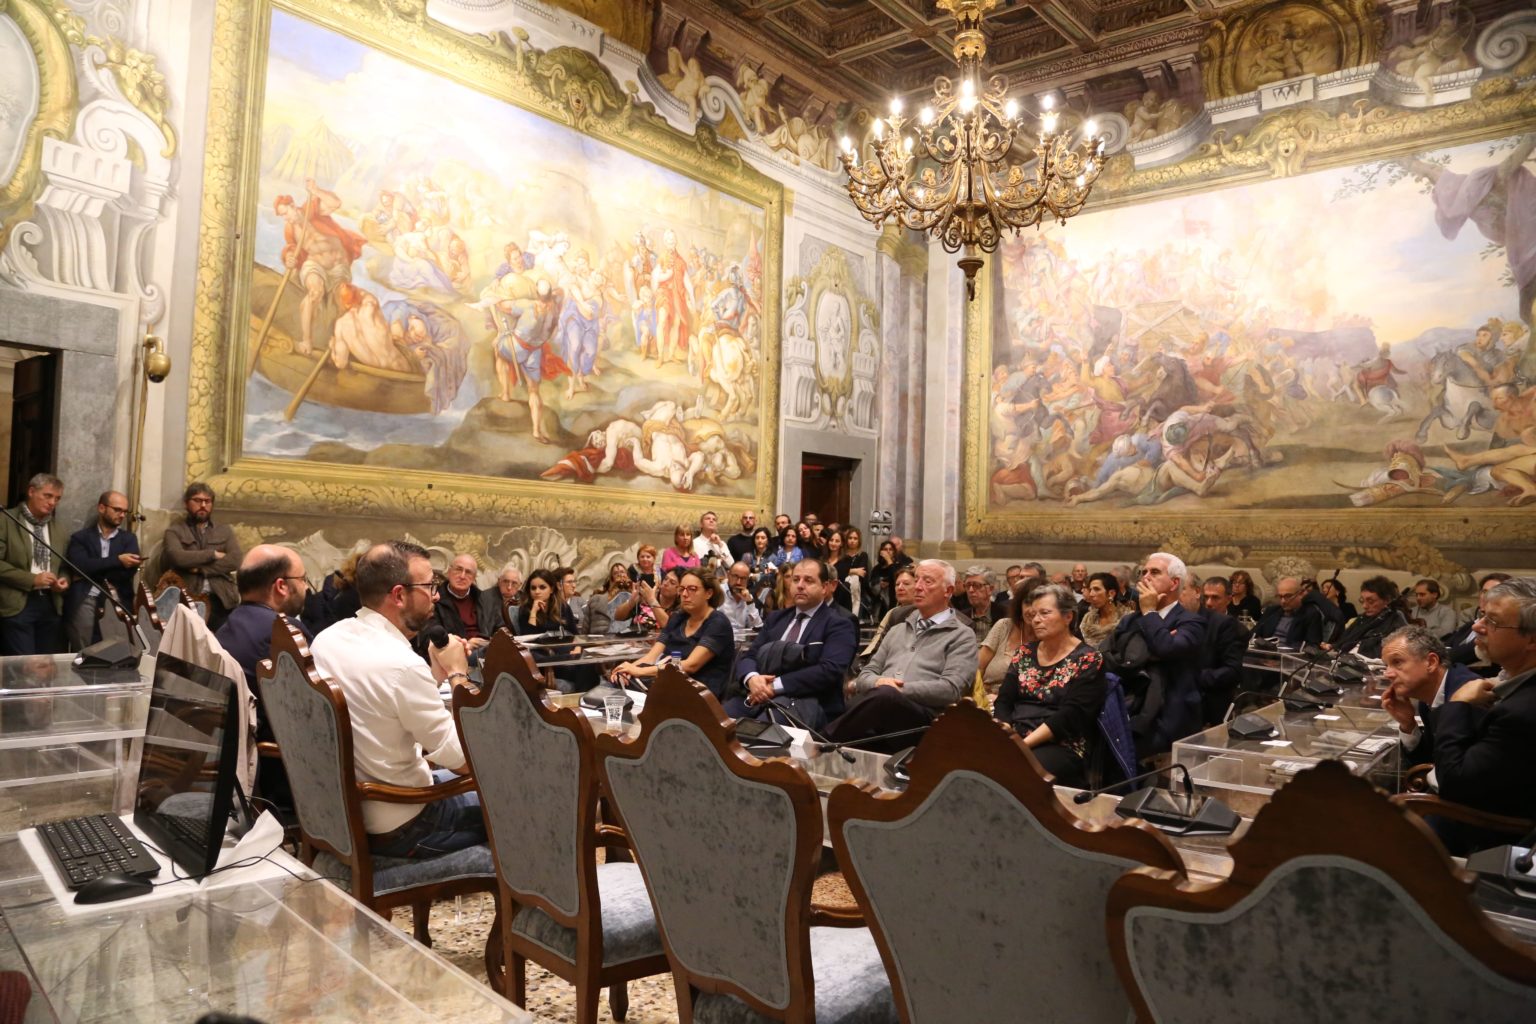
pixel 1054 689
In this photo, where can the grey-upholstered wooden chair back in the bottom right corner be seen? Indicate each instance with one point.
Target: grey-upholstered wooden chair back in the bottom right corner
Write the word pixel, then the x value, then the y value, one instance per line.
pixel 1340 908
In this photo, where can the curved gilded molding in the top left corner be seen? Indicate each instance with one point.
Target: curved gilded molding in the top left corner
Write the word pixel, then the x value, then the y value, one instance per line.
pixel 58 104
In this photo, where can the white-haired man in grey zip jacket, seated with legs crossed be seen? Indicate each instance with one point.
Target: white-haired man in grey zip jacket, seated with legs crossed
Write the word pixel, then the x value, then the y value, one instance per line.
pixel 927 662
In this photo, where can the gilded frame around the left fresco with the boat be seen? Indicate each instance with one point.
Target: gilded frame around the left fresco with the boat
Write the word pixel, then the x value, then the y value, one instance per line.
pixel 564 85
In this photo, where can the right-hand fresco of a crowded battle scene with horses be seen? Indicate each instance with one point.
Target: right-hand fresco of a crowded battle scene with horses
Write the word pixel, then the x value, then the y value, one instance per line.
pixel 1336 340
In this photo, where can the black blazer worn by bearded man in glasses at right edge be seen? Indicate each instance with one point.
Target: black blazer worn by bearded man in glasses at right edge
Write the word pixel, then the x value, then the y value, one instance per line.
pixel 1486 758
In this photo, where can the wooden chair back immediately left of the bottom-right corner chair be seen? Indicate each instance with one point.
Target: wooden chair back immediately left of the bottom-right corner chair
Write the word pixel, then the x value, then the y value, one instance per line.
pixel 985 894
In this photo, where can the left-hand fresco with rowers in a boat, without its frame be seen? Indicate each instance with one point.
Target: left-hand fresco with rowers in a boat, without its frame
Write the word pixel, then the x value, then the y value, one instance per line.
pixel 443 280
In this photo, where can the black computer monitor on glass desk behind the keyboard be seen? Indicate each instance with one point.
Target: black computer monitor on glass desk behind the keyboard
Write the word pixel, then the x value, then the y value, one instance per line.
pixel 187 779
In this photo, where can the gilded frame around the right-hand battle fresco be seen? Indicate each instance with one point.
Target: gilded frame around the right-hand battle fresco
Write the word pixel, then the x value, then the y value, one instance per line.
pixel 1400 538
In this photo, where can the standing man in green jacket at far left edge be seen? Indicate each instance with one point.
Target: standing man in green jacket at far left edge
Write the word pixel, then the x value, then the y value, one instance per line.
pixel 31 580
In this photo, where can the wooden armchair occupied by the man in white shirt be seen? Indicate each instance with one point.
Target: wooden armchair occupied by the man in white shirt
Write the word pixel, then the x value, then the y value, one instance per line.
pixel 310 719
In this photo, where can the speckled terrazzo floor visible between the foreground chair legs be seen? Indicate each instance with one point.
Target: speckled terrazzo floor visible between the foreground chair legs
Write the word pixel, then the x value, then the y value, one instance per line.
pixel 460 930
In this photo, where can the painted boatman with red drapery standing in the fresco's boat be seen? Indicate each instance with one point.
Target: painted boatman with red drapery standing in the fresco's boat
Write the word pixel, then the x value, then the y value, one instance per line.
pixel 322 253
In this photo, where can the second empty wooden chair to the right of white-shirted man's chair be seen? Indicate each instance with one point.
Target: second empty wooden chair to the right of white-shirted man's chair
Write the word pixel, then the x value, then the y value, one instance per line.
pixel 729 847
